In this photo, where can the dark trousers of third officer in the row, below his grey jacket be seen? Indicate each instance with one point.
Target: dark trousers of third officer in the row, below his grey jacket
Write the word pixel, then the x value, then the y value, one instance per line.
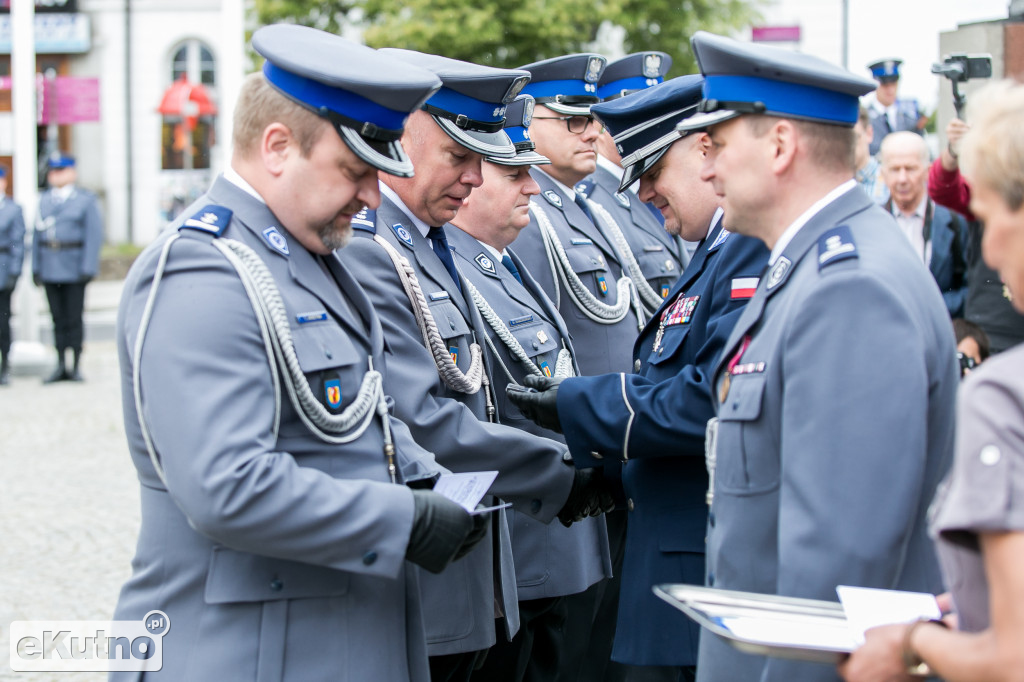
pixel 535 653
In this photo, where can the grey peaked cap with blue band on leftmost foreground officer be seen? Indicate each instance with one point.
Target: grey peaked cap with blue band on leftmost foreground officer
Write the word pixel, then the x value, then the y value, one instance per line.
pixel 366 96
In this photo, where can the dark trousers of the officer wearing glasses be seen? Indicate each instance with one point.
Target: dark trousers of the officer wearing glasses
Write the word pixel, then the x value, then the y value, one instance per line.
pixel 590 630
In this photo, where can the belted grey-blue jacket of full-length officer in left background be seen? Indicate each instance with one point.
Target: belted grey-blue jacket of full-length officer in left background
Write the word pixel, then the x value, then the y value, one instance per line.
pixel 69 236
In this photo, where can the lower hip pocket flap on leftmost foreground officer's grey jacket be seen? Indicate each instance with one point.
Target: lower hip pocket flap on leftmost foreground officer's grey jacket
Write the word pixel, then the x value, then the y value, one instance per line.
pixel 240 577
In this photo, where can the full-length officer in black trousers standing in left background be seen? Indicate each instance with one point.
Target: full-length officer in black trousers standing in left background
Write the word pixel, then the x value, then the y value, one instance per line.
pixel 66 259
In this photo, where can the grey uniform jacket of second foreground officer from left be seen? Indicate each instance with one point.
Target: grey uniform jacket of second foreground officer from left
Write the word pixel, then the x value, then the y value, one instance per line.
pixel 460 603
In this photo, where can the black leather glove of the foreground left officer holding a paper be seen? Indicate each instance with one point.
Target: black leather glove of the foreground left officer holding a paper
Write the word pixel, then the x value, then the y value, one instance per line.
pixel 443 532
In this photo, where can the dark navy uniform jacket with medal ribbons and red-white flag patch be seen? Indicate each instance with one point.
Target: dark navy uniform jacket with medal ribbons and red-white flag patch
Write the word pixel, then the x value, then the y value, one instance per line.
pixel 657 419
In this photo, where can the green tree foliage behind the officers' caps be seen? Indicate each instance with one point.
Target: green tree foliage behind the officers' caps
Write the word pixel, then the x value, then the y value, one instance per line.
pixel 514 33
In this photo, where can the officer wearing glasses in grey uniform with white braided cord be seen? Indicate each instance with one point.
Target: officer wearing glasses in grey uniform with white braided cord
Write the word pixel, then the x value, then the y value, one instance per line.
pixel 570 249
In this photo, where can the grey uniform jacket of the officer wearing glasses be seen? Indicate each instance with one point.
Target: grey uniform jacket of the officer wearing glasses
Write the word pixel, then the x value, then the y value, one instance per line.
pixel 601 349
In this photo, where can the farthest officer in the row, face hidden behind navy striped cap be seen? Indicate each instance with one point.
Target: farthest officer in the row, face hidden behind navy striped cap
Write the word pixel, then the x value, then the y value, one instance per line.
pixel 661 257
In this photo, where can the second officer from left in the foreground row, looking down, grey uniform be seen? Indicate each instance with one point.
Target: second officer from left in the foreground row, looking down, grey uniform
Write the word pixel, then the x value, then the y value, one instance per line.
pixel 435 335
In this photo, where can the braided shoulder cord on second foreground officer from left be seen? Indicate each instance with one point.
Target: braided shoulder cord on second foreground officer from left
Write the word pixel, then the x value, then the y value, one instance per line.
pixel 453 377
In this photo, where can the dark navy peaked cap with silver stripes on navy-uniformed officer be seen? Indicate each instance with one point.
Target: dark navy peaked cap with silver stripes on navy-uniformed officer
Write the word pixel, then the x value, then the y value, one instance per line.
pixel 644 124
